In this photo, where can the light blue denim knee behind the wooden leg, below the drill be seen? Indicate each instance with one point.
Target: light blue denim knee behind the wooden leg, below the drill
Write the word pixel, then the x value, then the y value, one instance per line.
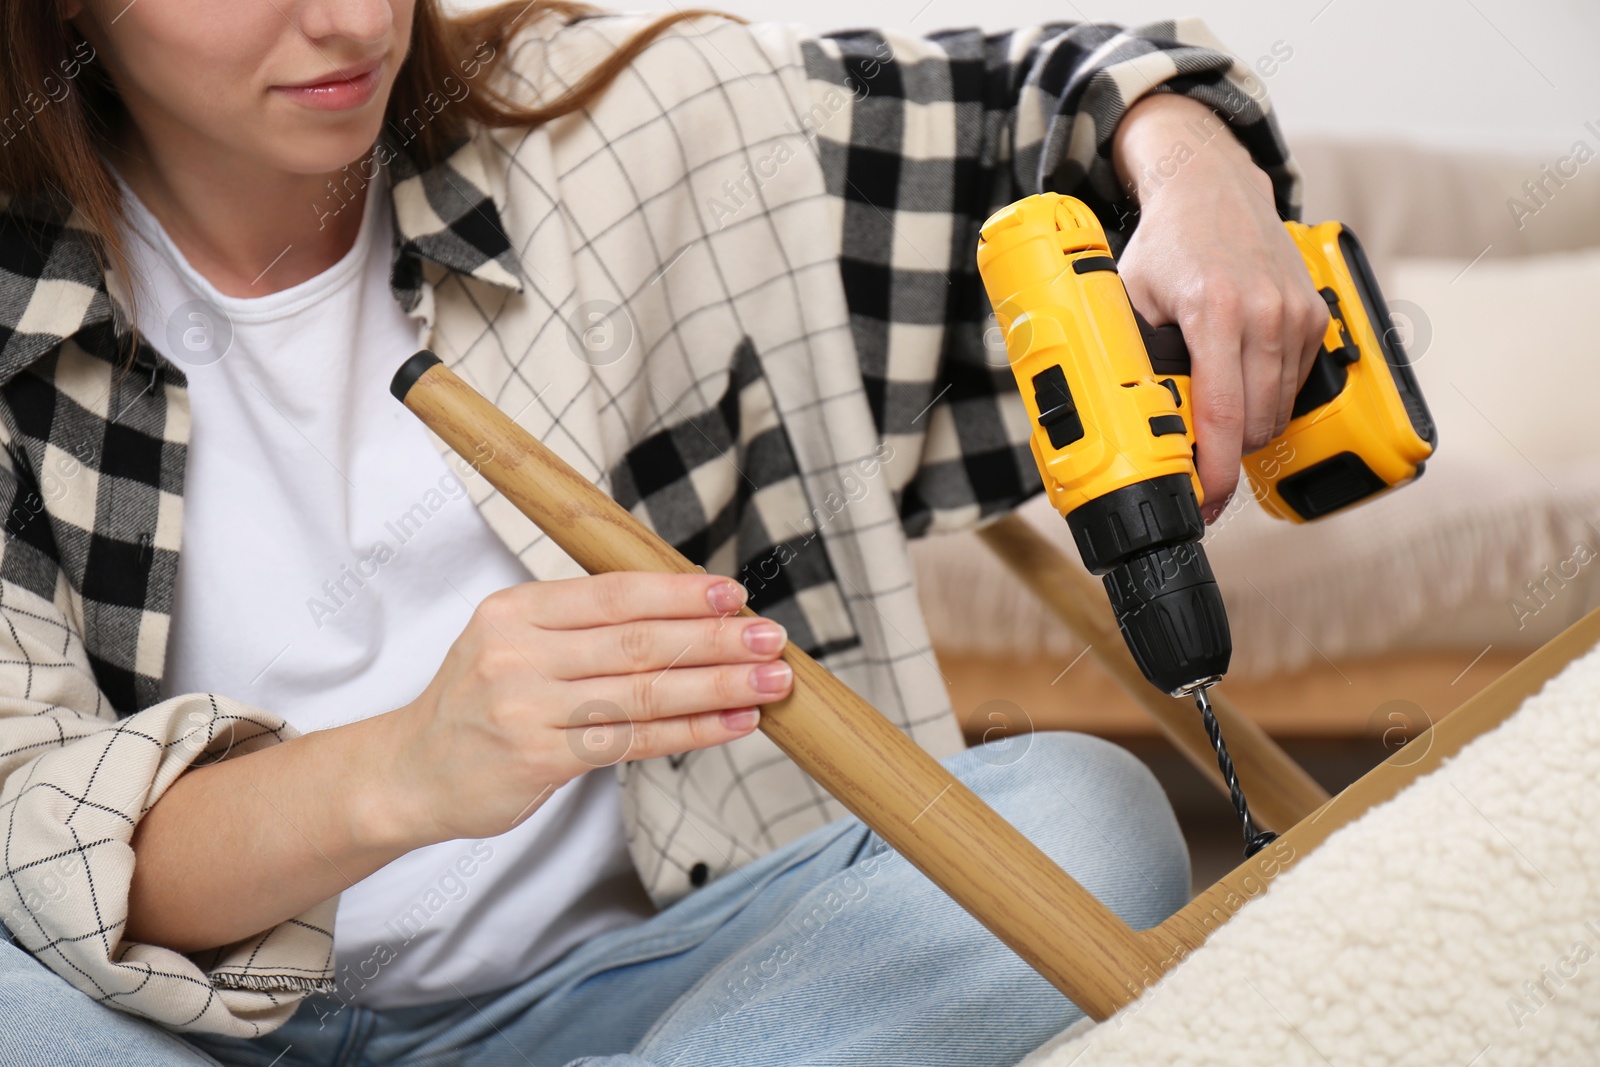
pixel 1095 809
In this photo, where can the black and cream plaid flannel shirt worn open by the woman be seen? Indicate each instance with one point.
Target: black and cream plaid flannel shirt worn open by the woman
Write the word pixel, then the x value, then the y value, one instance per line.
pixel 775 230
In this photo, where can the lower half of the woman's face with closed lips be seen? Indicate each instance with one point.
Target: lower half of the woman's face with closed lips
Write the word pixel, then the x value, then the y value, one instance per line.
pixel 295 86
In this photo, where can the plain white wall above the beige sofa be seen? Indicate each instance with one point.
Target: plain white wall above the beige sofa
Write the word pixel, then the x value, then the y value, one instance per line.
pixel 1516 76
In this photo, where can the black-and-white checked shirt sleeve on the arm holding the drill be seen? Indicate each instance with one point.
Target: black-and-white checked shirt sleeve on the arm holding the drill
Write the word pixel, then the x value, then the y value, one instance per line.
pixel 921 140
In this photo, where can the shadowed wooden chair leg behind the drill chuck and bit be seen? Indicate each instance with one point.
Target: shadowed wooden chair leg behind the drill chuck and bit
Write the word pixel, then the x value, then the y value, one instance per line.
pixel 1281 791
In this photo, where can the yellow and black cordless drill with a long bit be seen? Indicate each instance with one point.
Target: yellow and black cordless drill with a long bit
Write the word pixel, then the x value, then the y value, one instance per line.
pixel 1114 439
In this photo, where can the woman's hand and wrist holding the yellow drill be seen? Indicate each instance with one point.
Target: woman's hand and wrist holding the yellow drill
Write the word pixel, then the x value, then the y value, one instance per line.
pixel 1212 255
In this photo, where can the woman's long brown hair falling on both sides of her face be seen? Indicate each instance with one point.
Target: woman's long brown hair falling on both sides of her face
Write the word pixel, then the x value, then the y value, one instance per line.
pixel 57 153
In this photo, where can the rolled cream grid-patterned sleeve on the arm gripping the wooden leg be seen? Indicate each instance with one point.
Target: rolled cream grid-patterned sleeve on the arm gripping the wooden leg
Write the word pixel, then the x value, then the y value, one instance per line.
pixel 74 783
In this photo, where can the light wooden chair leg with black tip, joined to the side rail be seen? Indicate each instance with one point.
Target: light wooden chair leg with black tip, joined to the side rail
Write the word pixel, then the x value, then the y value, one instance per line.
pixel 906 796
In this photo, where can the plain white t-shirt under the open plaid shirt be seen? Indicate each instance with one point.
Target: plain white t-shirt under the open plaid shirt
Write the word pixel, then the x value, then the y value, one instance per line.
pixel 330 557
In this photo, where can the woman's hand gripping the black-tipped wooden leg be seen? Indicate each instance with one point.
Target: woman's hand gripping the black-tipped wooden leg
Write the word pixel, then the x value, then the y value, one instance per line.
pixel 556 679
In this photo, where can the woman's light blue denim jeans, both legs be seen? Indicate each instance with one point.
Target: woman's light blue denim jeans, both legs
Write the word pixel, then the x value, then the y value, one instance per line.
pixel 830 951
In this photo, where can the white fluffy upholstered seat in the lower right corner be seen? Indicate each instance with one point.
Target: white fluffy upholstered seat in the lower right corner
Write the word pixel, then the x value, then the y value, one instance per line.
pixel 1455 925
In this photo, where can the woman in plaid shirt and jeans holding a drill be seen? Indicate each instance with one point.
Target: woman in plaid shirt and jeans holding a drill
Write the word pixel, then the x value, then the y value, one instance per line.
pixel 263 660
